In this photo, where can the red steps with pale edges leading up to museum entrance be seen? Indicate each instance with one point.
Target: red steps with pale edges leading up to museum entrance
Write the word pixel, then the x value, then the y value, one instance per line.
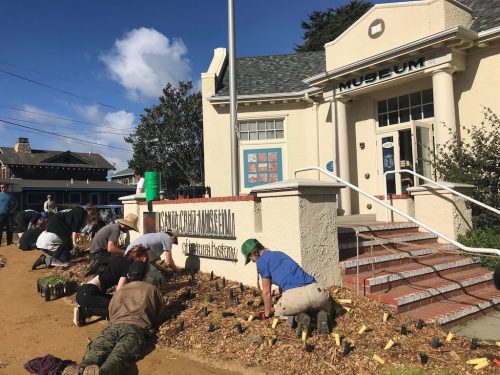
pixel 413 274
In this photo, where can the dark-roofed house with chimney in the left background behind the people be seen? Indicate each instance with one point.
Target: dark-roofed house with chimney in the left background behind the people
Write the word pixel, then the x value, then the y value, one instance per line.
pixel 70 177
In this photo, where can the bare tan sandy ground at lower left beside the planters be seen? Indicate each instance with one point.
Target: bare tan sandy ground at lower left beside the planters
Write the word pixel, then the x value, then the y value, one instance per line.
pixel 31 327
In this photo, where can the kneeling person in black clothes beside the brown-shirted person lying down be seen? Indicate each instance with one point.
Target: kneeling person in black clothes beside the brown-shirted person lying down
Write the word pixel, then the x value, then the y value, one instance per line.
pixel 92 298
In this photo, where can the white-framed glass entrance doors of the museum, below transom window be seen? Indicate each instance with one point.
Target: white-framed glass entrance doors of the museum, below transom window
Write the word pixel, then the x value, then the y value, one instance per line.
pixel 408 148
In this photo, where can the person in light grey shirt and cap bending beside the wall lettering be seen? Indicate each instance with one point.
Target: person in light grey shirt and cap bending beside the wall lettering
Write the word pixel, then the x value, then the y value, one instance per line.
pixel 159 245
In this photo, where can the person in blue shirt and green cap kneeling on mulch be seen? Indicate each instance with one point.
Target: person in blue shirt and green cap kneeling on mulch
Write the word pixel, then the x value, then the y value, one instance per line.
pixel 300 293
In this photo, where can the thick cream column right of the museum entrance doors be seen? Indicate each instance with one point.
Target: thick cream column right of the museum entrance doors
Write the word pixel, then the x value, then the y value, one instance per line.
pixel 444 105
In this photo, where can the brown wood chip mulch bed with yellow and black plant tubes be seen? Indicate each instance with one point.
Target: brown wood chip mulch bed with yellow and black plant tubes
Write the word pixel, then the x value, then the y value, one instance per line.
pixel 187 330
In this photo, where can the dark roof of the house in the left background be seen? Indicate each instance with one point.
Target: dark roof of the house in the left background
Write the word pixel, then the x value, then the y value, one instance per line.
pixel 9 156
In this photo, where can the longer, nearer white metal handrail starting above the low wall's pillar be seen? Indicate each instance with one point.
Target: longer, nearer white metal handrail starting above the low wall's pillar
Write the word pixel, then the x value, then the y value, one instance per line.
pixel 401 213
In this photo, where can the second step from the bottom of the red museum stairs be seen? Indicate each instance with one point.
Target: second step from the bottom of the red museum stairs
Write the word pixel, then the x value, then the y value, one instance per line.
pixel 420 293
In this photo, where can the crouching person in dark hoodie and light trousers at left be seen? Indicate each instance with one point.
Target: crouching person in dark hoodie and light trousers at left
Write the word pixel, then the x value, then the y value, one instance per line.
pixel 60 235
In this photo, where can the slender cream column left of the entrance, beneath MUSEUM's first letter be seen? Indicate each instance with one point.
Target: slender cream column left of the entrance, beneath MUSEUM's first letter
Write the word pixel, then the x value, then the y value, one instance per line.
pixel 342 163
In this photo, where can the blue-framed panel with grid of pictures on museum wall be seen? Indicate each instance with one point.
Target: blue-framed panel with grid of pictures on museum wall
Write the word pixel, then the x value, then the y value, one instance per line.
pixel 262 166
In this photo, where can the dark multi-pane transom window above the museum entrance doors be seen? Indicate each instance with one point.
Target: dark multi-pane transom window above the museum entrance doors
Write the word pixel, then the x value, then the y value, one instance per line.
pixel 414 106
